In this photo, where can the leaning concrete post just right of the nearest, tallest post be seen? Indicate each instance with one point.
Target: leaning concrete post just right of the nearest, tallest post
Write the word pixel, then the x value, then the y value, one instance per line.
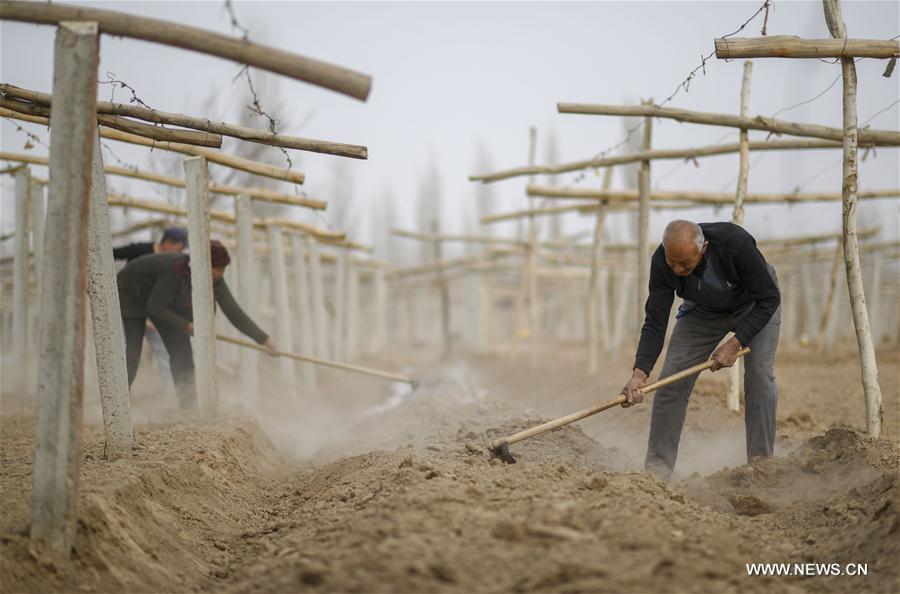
pixel 106 318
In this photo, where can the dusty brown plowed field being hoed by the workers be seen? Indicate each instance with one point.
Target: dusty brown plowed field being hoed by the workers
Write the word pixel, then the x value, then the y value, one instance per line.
pixel 362 490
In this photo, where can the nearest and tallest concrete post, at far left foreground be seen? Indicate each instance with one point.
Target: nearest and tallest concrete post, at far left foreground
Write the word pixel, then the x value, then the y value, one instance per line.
pixel 60 384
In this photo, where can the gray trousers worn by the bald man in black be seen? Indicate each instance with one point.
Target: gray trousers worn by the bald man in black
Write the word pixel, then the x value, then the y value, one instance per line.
pixel 693 340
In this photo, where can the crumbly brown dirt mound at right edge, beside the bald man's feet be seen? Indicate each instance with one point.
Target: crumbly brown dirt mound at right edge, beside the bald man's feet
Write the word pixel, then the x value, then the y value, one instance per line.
pixel 839 494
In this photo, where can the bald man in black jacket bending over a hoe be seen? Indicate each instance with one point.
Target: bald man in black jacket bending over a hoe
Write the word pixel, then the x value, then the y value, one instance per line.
pixel 727 286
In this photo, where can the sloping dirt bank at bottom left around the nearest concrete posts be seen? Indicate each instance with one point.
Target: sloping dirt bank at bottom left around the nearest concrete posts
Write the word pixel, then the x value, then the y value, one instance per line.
pixel 156 522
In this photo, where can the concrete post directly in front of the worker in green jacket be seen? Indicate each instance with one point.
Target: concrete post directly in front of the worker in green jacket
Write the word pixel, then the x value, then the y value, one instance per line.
pixel 196 188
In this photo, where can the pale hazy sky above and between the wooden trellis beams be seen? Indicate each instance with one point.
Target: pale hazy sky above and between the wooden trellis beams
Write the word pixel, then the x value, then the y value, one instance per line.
pixel 449 77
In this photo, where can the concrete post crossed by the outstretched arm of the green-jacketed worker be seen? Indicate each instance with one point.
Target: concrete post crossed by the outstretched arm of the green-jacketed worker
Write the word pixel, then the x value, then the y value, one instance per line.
pixel 247 292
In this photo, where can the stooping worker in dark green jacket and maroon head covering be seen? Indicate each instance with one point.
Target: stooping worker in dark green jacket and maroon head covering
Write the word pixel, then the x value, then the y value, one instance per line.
pixel 158 287
